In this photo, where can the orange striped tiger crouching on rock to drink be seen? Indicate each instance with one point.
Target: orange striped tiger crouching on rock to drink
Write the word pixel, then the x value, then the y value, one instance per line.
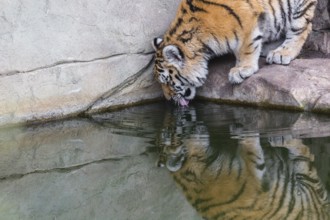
pixel 203 29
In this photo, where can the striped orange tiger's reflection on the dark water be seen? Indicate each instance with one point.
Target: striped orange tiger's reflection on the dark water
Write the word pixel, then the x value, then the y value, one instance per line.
pixel 244 180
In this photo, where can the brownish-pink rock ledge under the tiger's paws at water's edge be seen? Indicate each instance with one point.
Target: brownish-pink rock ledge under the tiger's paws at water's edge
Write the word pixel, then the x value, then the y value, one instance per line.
pixel 303 85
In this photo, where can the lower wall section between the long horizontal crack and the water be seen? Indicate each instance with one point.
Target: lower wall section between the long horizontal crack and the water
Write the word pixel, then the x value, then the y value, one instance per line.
pixel 69 89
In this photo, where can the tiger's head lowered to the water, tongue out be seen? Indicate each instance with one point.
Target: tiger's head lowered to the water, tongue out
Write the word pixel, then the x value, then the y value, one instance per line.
pixel 178 74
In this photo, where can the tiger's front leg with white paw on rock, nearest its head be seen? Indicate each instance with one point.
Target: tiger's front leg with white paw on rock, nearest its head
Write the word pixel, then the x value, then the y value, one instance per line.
pixel 246 60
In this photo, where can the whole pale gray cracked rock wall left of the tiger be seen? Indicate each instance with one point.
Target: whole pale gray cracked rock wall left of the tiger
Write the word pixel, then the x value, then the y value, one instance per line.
pixel 59 57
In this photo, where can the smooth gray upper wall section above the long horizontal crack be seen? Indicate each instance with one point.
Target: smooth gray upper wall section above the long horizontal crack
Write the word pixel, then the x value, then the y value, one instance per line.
pixel 43 33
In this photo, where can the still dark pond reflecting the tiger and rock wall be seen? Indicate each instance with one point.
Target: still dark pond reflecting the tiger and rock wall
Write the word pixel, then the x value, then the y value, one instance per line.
pixel 158 161
